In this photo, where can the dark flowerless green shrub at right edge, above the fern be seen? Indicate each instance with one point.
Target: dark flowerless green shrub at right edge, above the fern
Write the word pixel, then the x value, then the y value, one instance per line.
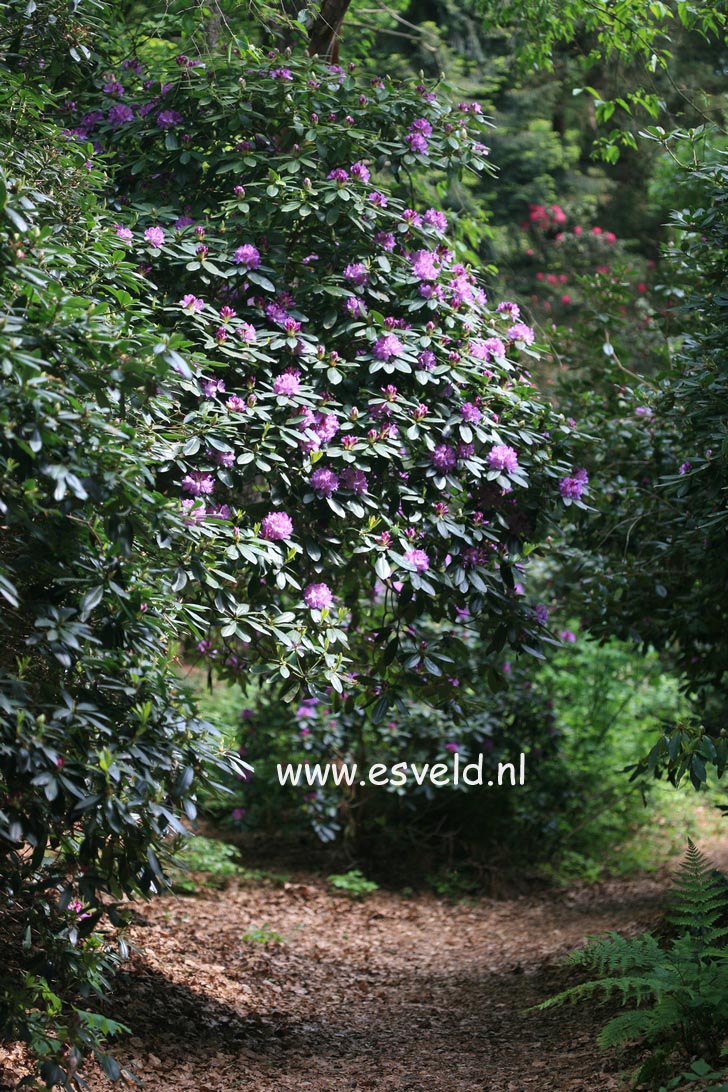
pixel 650 566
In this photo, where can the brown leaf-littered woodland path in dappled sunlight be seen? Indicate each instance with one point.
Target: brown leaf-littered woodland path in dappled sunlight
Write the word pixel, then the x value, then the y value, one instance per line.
pixel 391 994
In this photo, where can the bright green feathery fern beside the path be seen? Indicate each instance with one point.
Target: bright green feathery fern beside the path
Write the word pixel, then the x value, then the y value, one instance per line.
pixel 677 991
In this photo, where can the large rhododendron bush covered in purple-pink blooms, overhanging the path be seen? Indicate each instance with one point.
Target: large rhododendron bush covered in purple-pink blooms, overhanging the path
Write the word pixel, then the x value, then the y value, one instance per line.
pixel 365 414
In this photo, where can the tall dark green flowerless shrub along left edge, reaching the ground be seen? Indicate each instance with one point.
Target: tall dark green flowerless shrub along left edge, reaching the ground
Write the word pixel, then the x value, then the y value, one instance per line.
pixel 101 750
